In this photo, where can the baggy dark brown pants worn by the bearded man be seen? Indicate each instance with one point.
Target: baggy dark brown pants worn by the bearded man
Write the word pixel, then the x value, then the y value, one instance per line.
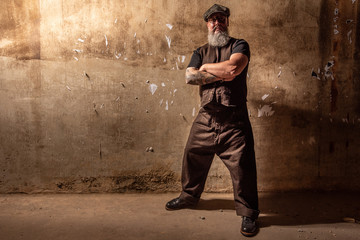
pixel 228 134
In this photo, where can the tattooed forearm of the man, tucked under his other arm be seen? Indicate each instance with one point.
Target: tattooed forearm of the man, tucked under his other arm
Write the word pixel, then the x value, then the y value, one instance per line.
pixel 194 76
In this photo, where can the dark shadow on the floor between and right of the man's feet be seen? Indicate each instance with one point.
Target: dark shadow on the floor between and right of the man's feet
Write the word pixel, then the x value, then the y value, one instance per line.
pixel 291 209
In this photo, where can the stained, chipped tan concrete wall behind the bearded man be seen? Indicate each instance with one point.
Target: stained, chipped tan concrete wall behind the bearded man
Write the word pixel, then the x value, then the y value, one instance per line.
pixel 88 86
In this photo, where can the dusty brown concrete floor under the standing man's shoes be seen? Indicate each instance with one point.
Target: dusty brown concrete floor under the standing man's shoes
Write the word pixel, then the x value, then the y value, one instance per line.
pixel 142 216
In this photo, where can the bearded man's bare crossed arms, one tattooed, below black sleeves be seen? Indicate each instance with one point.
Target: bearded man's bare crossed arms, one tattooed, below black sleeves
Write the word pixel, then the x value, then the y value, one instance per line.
pixel 213 72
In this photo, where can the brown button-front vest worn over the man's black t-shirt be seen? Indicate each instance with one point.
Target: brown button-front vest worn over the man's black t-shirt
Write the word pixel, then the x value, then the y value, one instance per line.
pixel 230 94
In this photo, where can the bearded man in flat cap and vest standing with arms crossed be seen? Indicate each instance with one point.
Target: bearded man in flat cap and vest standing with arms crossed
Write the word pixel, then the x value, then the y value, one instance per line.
pixel 222 126
